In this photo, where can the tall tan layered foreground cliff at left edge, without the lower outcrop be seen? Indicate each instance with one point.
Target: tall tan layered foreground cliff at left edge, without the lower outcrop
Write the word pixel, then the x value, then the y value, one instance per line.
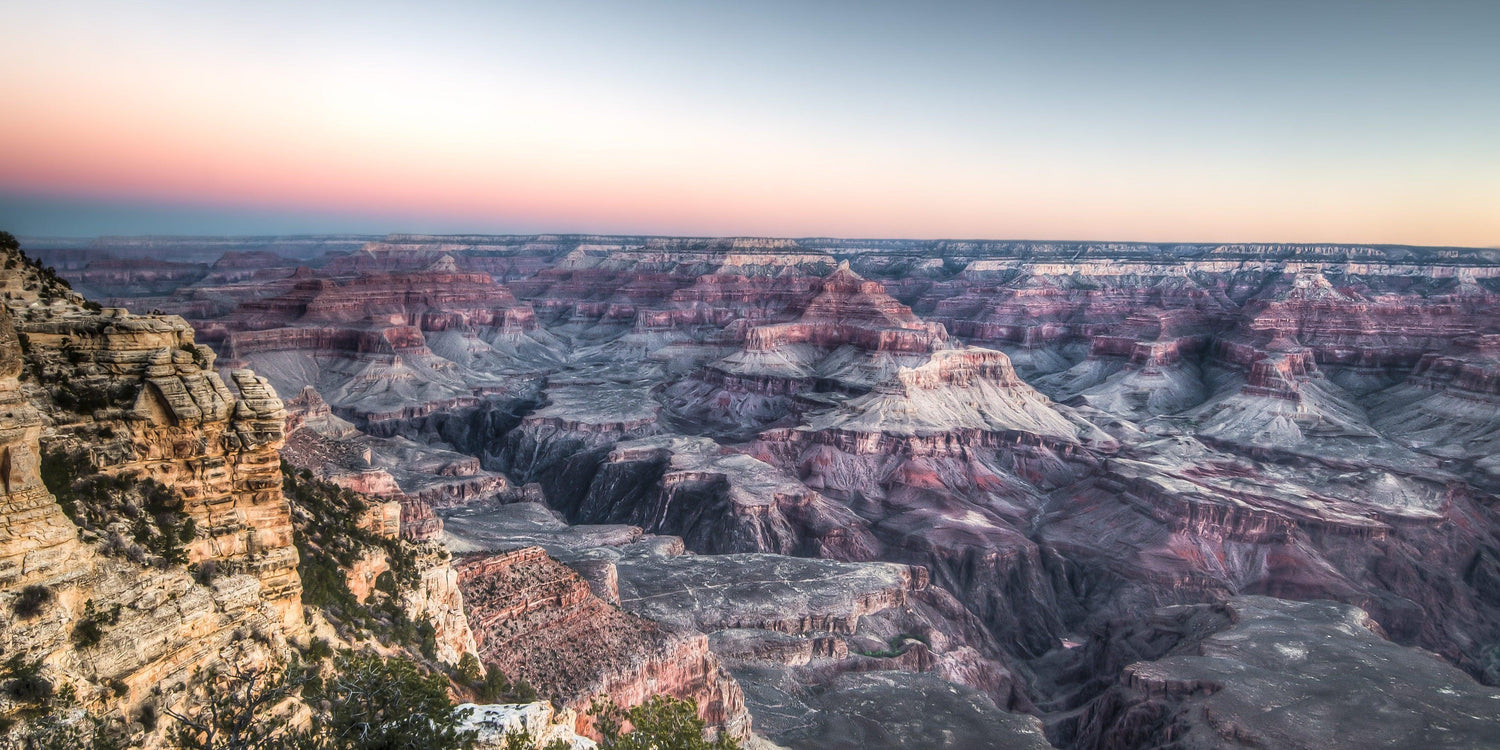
pixel 131 397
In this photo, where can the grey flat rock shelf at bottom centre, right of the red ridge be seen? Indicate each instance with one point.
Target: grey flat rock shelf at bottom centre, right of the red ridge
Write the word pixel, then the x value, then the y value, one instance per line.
pixel 790 628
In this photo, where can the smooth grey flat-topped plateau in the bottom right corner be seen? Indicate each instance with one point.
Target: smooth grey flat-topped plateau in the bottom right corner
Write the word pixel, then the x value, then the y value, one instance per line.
pixel 1289 674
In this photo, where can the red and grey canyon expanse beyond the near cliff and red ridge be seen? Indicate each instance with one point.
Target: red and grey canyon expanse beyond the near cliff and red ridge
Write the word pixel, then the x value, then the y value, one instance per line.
pixel 1058 436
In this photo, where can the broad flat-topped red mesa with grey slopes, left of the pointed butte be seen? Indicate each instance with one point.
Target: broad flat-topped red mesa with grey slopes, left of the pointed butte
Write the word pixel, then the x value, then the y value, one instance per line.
pixel 389 350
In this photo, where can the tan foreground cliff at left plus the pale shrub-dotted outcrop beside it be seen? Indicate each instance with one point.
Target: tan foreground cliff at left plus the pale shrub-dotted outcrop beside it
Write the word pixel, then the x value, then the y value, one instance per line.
pixel 145 533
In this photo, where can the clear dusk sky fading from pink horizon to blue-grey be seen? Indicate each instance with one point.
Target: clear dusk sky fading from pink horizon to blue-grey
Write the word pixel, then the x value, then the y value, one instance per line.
pixel 1354 122
